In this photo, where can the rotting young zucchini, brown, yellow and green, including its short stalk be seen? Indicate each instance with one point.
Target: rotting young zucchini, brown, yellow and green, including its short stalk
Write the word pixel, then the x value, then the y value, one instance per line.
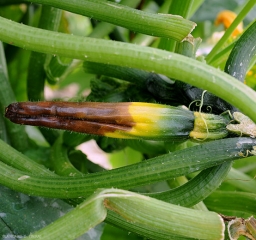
pixel 130 120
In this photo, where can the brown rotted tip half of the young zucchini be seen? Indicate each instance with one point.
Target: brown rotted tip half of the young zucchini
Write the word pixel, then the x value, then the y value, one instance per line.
pixel 89 117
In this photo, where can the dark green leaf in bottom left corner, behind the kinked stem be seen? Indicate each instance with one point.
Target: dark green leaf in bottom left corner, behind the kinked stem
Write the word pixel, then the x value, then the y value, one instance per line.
pixel 21 214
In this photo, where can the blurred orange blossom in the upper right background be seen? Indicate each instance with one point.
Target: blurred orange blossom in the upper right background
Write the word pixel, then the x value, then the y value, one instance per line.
pixel 226 18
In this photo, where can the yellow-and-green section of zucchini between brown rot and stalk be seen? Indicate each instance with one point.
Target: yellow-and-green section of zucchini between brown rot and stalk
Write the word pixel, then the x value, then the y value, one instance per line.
pixel 157 122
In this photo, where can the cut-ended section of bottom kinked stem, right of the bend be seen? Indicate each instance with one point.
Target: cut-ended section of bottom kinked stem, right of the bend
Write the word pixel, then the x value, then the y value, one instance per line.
pixel 136 208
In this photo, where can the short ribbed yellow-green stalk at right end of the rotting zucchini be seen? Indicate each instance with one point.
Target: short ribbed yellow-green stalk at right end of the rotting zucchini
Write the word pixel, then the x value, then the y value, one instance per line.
pixel 209 126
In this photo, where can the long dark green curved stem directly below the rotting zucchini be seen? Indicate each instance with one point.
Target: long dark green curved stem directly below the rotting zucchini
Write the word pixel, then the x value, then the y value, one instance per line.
pixel 157 169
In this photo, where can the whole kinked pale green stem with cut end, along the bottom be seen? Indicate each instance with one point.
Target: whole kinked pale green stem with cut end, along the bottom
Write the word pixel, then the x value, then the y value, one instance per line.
pixel 176 221
